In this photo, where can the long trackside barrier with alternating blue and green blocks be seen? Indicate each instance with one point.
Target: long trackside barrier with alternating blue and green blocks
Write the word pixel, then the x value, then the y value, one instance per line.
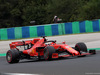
pixel 50 30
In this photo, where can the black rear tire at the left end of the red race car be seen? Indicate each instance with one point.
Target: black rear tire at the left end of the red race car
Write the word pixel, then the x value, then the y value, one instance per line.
pixel 12 56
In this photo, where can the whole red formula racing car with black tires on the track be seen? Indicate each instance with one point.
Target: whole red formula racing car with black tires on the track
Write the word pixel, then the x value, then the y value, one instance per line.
pixel 42 48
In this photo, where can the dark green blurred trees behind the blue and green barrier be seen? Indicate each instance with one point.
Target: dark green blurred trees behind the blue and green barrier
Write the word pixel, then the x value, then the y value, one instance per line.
pixel 18 13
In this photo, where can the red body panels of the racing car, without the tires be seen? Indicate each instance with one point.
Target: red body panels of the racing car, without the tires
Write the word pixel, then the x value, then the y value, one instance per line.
pixel 38 48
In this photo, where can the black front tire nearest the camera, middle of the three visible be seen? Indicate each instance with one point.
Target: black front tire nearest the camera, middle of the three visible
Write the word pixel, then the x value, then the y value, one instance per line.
pixel 48 51
